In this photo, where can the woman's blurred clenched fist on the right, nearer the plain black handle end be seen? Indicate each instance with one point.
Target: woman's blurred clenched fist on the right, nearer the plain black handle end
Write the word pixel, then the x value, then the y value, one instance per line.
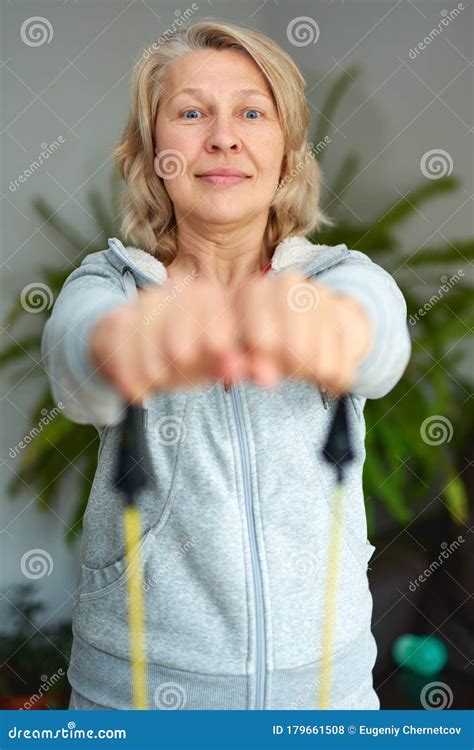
pixel 292 327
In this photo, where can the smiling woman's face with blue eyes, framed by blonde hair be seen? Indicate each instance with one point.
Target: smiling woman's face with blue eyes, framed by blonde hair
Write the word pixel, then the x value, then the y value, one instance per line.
pixel 218 125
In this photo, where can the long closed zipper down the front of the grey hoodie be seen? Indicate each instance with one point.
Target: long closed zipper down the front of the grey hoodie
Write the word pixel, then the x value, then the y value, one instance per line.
pixel 260 646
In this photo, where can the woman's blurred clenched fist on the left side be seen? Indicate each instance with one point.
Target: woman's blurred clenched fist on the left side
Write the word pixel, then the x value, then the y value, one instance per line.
pixel 167 338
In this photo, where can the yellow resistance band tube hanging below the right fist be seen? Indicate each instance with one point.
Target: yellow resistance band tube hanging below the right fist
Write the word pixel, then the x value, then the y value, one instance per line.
pixel 330 604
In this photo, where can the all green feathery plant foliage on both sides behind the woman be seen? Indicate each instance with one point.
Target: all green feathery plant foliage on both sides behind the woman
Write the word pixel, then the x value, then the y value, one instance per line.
pixel 400 467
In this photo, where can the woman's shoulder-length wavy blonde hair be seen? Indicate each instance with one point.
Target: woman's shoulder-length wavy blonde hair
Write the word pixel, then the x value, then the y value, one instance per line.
pixel 148 214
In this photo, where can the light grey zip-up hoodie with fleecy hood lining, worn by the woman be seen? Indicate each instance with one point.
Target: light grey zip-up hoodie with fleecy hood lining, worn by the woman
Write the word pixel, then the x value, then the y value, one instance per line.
pixel 236 516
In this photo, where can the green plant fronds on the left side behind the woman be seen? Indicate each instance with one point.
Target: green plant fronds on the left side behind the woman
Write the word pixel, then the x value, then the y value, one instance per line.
pixel 60 444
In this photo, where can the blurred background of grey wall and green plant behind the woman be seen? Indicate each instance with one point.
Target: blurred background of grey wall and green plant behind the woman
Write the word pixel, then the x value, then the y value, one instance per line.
pixel 390 90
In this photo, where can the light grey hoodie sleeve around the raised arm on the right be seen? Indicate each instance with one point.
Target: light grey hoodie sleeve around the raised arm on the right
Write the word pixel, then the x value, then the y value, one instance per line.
pixel 376 290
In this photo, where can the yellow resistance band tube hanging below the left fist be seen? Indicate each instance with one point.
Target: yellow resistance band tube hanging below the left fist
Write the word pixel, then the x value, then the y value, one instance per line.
pixel 136 618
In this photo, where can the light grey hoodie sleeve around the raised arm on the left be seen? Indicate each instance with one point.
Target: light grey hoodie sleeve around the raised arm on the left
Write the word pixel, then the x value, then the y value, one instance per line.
pixel 84 395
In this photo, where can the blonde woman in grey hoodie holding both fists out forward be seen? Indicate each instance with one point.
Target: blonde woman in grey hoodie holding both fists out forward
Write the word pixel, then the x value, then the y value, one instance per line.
pixel 238 372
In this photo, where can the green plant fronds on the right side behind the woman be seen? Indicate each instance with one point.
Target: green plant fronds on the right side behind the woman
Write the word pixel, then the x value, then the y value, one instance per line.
pixel 401 466
